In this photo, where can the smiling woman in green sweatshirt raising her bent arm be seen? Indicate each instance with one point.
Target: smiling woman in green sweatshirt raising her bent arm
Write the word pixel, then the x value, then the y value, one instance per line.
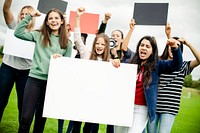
pixel 50 39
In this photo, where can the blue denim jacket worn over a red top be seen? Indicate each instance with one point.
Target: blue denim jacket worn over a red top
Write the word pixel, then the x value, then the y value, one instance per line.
pixel 162 66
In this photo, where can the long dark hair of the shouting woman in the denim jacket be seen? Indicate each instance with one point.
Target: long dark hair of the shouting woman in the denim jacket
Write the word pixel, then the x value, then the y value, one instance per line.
pixel 150 64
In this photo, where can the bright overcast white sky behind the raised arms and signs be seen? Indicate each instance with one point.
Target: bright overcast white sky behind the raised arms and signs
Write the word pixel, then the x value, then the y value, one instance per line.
pixel 183 16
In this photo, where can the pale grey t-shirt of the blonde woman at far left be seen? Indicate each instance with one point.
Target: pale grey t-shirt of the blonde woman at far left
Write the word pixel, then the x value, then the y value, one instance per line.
pixel 13 61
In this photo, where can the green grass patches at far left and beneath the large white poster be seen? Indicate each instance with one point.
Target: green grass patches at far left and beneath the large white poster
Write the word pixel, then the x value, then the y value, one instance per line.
pixel 9 123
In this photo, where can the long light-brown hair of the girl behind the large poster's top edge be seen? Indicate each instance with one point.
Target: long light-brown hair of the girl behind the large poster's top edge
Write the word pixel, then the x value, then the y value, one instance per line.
pixel 106 54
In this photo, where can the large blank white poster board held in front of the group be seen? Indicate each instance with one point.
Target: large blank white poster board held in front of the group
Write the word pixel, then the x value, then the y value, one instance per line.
pixel 90 91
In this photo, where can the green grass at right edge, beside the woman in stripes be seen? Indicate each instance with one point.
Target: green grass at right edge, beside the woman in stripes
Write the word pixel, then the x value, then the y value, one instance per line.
pixel 188 119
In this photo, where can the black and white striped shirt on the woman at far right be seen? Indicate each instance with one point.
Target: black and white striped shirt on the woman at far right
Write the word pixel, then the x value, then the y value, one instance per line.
pixel 170 88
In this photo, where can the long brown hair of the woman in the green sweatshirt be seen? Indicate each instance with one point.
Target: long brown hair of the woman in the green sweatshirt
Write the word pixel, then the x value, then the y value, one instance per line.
pixel 46 31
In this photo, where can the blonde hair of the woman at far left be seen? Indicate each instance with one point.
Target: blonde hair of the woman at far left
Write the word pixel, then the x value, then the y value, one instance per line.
pixel 31 24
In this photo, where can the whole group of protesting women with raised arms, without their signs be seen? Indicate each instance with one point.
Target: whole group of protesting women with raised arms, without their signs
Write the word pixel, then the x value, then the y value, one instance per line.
pixel 52 39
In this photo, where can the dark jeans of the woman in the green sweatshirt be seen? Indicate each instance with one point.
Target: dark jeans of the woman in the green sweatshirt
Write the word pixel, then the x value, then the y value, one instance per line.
pixel 33 101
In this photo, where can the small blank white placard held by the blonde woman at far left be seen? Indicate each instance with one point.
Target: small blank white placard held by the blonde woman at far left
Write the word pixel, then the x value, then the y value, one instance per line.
pixel 18 47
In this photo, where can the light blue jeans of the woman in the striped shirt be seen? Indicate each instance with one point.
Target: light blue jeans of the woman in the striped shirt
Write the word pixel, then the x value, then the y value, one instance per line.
pixel 161 124
